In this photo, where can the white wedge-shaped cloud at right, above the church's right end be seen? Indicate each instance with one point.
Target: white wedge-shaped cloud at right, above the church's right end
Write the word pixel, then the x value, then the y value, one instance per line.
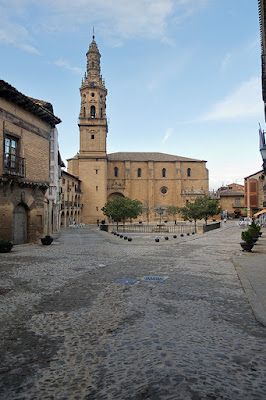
pixel 243 102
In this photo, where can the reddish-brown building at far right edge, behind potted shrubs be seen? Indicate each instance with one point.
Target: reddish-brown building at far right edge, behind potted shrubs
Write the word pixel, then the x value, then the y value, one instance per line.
pixel 255 193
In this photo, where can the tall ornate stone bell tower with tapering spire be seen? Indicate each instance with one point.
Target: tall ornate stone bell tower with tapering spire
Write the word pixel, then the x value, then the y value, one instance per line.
pixel 92 158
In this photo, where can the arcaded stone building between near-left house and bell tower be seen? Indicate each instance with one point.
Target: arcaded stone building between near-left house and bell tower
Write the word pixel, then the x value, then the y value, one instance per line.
pixel 71 201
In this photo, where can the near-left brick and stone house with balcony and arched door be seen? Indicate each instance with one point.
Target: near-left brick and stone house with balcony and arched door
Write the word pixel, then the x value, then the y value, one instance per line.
pixel 25 128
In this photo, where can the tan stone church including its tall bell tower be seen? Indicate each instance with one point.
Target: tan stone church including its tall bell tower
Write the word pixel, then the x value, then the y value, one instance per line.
pixel 158 180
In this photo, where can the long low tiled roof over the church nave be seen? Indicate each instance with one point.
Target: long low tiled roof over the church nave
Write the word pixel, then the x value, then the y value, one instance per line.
pixel 136 156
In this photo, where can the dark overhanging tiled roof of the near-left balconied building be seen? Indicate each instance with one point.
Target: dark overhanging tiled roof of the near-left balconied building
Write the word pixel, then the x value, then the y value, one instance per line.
pixel 36 107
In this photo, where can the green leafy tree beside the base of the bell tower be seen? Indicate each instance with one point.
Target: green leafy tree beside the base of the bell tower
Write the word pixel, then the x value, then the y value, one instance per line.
pixel 121 208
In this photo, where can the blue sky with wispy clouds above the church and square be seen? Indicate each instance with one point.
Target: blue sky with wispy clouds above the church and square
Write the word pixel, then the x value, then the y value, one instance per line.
pixel 183 76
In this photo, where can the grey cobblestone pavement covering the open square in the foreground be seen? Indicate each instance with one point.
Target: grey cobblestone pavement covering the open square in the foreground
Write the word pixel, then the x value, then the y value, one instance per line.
pixel 70 331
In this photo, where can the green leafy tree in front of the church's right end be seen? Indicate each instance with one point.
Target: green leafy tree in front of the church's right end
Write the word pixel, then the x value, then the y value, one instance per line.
pixel 202 208
